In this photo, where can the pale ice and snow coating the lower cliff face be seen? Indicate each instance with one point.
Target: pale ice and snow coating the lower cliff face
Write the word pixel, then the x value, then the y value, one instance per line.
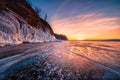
pixel 14 30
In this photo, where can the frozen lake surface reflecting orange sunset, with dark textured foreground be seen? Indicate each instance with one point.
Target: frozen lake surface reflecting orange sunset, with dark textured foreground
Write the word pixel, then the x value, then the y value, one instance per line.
pixel 69 60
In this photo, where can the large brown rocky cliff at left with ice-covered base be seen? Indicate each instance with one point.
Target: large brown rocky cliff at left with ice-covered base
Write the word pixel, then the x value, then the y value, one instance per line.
pixel 19 22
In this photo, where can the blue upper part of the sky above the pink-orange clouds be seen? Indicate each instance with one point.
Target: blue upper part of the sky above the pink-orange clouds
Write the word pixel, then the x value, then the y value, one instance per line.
pixel 63 8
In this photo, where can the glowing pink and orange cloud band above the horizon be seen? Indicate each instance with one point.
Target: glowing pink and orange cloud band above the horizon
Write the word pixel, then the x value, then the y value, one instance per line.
pixel 87 26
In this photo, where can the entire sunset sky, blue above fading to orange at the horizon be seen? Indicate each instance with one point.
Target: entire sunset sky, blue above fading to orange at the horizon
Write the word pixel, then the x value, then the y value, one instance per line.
pixel 83 19
